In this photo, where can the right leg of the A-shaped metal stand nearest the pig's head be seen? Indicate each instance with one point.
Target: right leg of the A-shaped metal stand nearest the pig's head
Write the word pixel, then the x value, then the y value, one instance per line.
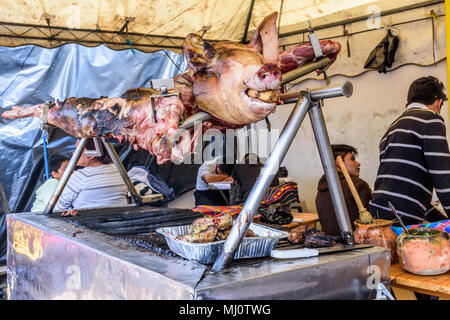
pixel 329 167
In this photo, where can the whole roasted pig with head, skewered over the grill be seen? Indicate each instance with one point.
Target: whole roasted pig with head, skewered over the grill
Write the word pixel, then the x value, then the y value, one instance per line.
pixel 236 84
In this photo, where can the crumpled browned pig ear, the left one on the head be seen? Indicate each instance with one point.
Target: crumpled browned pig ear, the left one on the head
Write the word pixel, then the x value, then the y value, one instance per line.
pixel 197 51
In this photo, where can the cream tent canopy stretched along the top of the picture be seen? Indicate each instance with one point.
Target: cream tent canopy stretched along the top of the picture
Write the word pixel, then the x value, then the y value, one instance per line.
pixel 157 24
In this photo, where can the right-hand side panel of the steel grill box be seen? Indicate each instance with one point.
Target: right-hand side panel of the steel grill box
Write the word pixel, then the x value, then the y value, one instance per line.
pixel 339 276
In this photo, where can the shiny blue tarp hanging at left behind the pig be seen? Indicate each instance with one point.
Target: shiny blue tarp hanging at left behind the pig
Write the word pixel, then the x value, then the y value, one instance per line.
pixel 31 75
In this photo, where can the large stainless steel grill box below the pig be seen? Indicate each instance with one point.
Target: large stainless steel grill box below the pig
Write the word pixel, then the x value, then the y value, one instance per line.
pixel 52 258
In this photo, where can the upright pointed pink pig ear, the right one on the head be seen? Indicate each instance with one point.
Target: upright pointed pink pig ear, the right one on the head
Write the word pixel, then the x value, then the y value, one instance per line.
pixel 265 39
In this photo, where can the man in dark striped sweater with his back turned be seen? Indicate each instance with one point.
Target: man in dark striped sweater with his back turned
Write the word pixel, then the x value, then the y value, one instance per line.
pixel 414 158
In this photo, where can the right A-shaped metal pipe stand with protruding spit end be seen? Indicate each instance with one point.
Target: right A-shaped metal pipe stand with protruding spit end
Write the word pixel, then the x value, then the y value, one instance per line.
pixel 273 163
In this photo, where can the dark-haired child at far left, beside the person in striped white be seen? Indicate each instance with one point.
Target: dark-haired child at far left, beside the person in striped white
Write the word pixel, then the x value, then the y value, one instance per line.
pixel 56 165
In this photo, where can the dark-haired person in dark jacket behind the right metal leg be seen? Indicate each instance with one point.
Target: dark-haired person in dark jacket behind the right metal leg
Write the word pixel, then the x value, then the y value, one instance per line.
pixel 324 204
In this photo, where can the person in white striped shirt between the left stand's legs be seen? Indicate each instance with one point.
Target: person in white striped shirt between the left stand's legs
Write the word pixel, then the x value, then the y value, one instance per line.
pixel 98 184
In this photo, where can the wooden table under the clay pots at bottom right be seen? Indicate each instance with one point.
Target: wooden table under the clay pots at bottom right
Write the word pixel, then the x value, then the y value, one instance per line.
pixel 404 284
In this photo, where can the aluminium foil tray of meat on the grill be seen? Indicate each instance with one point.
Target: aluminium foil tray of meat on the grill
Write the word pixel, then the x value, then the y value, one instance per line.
pixel 207 253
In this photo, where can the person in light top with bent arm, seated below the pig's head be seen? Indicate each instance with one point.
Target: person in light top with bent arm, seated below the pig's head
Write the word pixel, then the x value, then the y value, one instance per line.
pixel 215 170
